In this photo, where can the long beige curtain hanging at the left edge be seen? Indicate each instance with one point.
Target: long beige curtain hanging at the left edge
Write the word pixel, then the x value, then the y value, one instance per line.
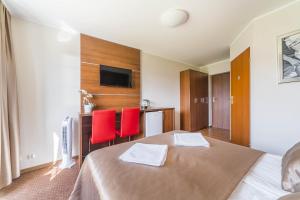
pixel 9 120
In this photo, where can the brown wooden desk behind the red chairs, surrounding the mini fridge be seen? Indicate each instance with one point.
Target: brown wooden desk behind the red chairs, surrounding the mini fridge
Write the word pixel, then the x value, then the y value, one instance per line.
pixel 85 128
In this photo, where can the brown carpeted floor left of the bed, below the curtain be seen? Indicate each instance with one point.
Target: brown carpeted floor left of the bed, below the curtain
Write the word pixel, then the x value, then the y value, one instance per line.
pixel 47 183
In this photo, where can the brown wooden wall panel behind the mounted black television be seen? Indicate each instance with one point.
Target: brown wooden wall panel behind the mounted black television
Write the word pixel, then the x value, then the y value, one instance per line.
pixel 95 52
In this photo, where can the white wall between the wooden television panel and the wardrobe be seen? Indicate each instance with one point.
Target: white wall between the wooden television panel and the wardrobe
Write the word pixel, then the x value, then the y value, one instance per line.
pixel 161 82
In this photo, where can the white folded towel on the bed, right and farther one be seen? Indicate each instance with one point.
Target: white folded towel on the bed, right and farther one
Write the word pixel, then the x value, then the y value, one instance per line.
pixel 190 139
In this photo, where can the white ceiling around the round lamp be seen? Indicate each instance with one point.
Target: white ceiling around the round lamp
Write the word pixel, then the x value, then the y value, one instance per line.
pixel 205 38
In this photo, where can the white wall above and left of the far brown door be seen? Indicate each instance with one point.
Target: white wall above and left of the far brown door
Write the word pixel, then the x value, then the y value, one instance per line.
pixel 213 69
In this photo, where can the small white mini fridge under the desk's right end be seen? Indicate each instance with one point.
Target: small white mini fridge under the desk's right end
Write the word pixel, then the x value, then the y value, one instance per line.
pixel 154 123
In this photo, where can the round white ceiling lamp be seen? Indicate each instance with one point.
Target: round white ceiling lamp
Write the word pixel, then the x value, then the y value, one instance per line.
pixel 174 17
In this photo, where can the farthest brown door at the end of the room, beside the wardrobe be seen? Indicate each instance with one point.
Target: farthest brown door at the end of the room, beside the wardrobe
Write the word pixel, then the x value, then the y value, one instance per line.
pixel 221 101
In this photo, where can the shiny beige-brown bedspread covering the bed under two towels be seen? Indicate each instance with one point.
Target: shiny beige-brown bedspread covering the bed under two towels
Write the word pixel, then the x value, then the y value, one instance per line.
pixel 189 172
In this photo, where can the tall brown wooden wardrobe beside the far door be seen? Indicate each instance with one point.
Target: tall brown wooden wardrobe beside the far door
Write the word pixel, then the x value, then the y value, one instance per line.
pixel 193 100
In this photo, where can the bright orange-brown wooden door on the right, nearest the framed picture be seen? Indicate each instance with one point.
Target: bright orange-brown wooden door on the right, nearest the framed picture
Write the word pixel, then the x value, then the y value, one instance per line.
pixel 240 99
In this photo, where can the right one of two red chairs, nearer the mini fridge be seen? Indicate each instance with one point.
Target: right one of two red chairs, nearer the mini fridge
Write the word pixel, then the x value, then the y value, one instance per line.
pixel 130 122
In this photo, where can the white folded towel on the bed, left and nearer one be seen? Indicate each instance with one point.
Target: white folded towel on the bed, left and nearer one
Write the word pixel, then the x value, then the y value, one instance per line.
pixel 148 154
